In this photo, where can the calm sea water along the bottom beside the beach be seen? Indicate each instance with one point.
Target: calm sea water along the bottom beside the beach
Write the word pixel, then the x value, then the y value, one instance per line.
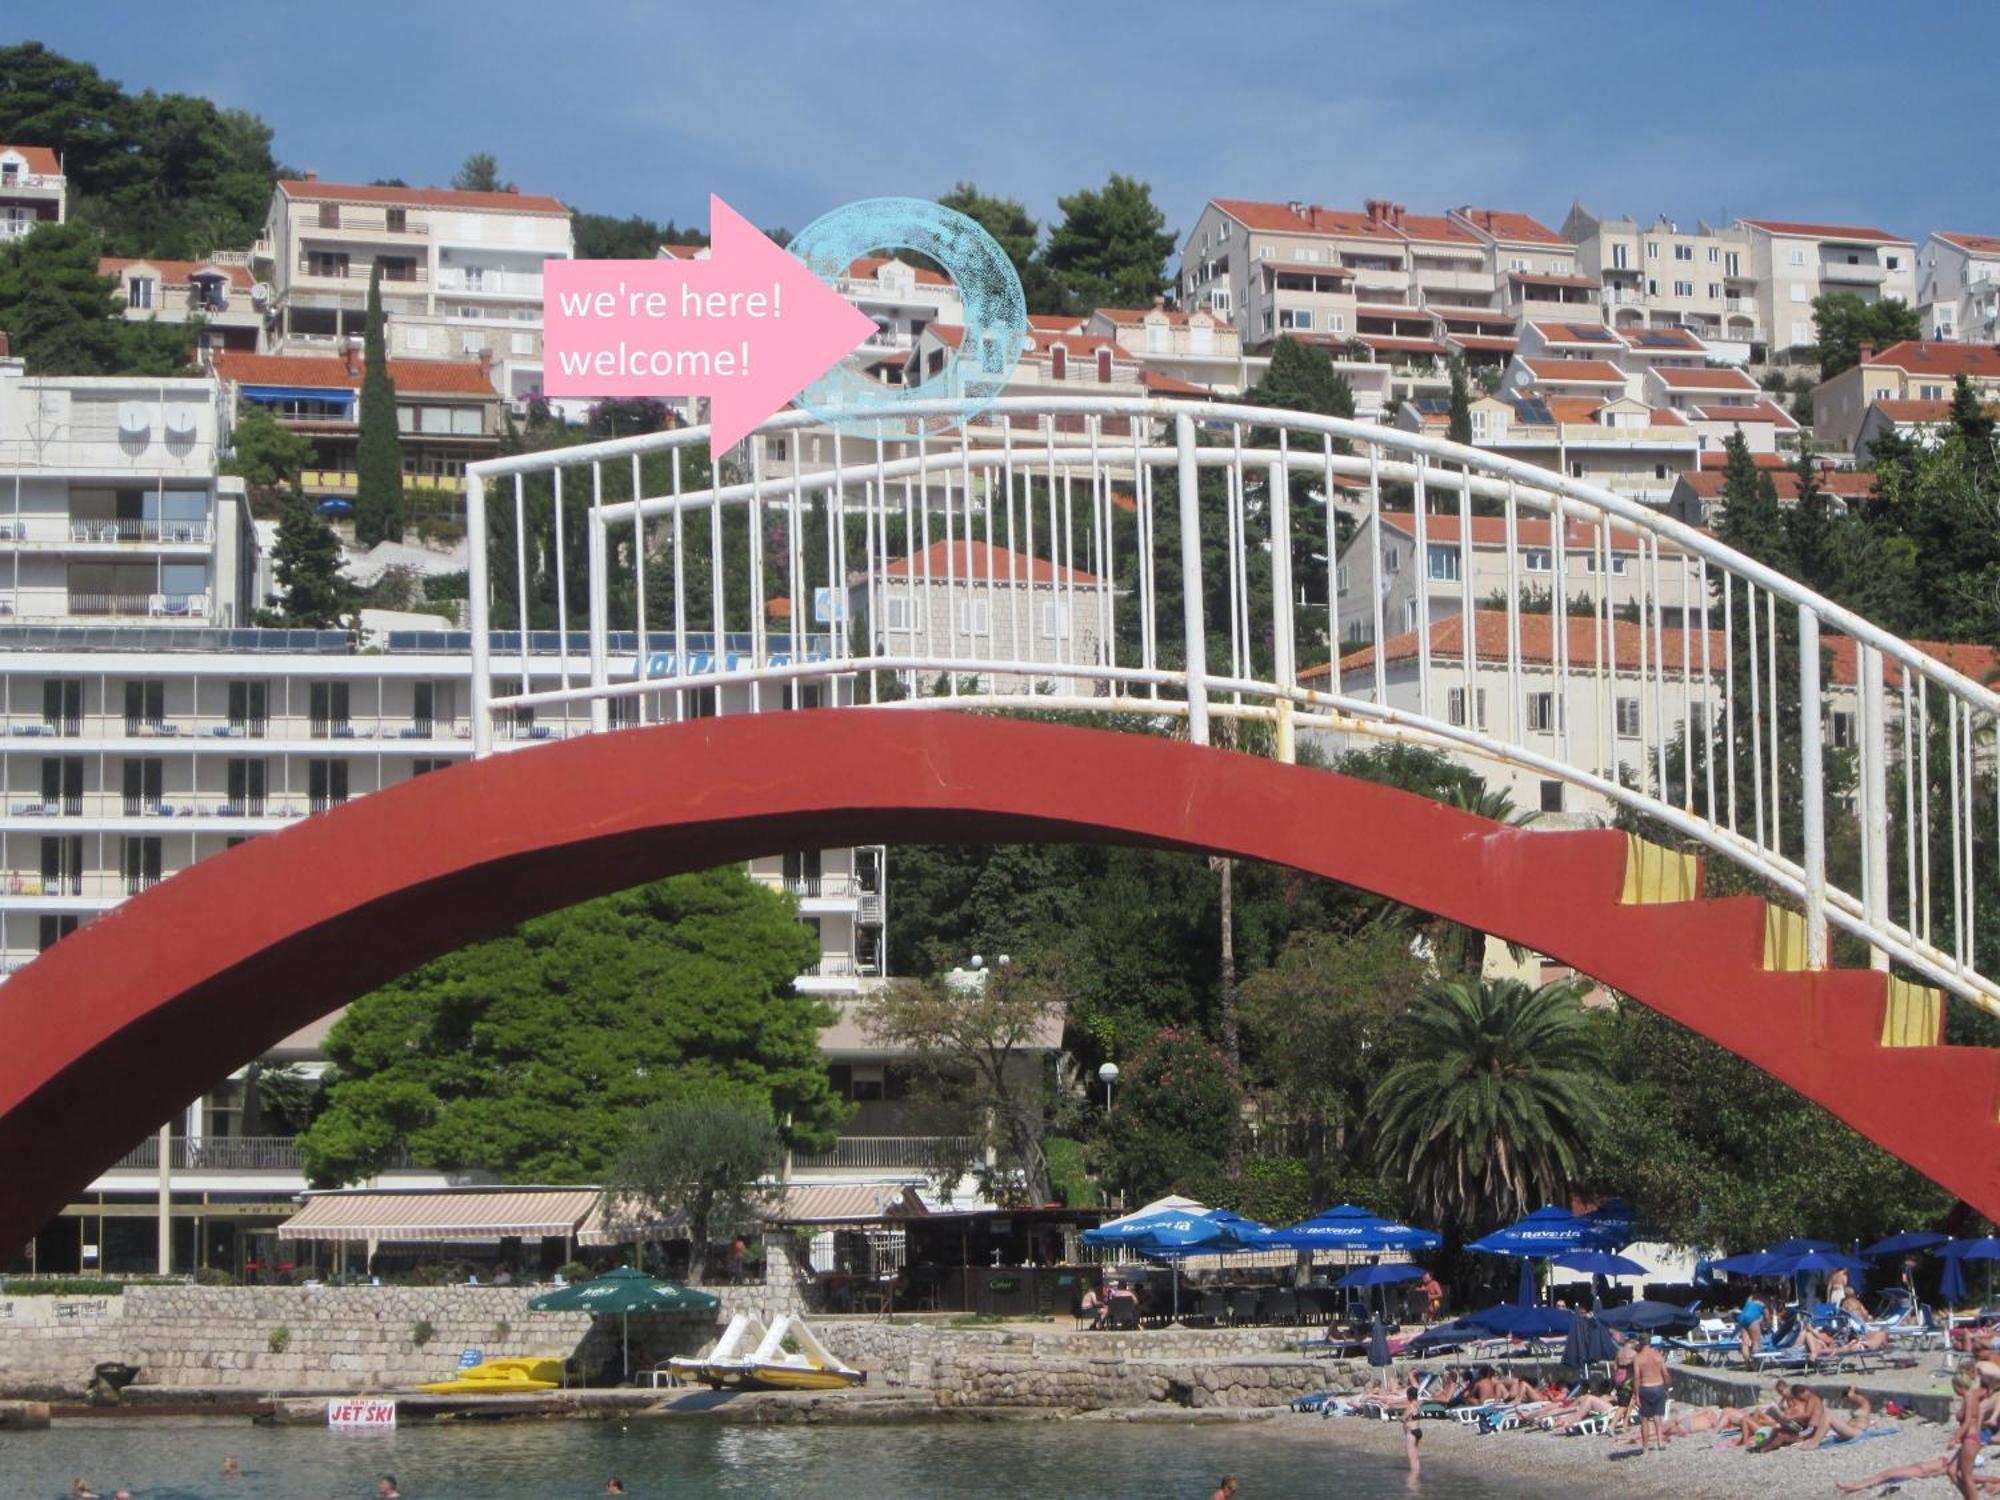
pixel 165 1459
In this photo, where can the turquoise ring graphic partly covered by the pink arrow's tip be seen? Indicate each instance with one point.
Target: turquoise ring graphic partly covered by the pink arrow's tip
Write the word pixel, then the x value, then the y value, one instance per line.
pixel 997 309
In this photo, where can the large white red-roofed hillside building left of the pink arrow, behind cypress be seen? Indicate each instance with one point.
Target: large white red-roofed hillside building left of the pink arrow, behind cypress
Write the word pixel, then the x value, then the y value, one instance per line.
pixel 461 273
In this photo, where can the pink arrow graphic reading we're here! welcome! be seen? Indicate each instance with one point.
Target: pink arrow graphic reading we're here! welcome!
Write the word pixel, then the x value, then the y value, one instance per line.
pixel 749 327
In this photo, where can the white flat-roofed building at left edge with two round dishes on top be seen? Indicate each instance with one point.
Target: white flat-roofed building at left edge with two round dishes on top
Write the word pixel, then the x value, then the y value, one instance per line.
pixel 111 507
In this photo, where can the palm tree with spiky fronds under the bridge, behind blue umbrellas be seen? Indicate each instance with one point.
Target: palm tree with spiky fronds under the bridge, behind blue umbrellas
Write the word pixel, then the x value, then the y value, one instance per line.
pixel 1495 1101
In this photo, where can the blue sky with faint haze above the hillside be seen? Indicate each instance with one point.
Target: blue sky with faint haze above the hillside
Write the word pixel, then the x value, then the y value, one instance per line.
pixel 787 111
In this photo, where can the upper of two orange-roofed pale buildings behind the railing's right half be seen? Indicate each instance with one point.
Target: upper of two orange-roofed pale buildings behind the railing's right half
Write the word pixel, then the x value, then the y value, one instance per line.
pixel 1431 581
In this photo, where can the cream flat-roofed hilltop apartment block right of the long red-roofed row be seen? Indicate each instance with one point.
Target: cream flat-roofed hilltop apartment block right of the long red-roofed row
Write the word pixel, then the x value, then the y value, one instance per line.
pixel 1661 277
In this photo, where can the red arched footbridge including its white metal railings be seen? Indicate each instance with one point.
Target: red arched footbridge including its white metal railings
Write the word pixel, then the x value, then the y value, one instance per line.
pixel 779 651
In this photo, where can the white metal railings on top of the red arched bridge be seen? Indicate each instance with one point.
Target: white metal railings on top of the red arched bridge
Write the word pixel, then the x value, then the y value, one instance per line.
pixel 1185 561
